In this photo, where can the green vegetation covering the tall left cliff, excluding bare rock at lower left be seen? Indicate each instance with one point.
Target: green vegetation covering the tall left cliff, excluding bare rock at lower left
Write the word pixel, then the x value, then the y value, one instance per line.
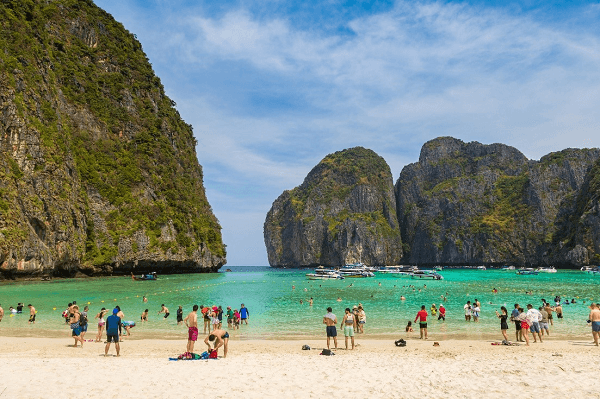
pixel 83 83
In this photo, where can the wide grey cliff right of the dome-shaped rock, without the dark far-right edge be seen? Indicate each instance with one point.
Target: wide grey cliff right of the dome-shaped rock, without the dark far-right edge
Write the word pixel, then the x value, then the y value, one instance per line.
pixel 469 203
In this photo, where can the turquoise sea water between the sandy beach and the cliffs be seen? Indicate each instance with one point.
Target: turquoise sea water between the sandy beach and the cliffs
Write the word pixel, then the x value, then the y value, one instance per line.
pixel 275 309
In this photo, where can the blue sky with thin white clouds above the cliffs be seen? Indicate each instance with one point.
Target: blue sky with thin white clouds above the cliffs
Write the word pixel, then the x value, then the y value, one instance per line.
pixel 271 86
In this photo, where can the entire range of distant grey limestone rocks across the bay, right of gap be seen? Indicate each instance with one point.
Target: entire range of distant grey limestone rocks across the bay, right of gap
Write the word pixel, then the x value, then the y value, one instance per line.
pixel 460 204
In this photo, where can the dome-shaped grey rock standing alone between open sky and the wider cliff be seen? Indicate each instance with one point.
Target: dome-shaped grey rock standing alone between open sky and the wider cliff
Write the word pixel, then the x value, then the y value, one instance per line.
pixel 343 212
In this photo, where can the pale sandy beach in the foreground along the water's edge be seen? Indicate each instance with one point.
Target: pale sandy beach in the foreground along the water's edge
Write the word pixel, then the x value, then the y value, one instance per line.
pixel 43 367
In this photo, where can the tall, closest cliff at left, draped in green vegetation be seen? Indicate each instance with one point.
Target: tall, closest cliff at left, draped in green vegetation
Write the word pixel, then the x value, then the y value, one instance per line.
pixel 98 173
